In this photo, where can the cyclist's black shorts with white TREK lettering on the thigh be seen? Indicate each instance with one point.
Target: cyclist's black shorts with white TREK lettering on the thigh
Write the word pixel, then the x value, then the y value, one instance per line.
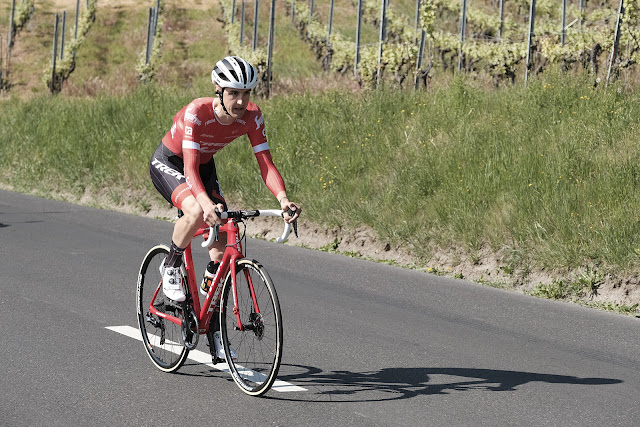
pixel 167 175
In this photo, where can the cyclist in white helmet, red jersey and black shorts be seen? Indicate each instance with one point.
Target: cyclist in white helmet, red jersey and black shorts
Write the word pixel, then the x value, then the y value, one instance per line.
pixel 184 172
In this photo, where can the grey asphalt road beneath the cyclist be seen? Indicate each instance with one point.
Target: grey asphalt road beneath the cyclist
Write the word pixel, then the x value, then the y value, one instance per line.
pixel 366 344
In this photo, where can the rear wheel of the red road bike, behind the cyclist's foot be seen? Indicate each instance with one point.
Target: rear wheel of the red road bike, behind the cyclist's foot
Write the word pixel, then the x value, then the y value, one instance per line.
pixel 162 339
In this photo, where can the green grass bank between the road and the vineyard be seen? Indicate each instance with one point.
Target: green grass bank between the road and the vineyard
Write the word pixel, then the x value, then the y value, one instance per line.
pixel 550 171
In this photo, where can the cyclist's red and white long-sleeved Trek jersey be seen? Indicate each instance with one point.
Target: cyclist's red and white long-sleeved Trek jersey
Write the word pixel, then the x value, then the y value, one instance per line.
pixel 197 134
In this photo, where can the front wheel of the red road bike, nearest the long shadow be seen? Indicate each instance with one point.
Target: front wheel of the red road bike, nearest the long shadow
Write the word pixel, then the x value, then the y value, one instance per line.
pixel 259 348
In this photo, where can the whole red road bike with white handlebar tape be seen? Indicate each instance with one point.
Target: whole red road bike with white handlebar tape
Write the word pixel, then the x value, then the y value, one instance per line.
pixel 242 303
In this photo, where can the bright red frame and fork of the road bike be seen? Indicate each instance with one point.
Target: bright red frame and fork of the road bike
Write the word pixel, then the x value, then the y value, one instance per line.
pixel 233 253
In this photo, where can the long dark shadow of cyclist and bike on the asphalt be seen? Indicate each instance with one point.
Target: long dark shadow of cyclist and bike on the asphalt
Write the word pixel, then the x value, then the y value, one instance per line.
pixel 404 383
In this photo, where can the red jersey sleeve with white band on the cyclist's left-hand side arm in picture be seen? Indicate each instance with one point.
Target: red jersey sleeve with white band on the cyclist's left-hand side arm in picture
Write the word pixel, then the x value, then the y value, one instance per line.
pixel 191 149
